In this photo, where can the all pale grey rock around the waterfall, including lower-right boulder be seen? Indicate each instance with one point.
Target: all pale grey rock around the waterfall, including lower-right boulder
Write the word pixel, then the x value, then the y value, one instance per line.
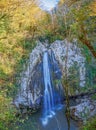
pixel 31 91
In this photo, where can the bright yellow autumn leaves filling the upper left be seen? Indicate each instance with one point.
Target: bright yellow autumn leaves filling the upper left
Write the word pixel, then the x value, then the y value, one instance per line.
pixel 16 19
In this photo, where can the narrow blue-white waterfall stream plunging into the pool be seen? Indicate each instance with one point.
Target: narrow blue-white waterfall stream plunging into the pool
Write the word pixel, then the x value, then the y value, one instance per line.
pixel 48 103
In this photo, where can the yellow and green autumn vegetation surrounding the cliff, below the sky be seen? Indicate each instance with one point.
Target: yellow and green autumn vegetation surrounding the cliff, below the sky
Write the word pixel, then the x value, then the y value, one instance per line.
pixel 22 23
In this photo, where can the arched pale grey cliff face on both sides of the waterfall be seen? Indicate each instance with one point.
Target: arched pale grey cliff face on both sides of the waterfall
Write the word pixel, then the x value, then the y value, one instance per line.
pixel 31 90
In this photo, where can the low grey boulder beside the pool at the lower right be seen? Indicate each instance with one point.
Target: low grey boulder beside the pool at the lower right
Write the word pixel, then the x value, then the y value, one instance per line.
pixel 84 110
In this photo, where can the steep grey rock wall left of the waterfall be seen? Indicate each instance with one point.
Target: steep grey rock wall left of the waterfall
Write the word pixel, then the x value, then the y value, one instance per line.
pixel 31 80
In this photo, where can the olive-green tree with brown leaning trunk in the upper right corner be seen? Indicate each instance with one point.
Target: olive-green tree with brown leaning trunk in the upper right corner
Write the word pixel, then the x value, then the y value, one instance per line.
pixel 80 22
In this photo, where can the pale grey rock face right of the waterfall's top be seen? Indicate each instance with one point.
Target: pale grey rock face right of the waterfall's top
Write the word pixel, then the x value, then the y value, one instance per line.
pixel 74 55
